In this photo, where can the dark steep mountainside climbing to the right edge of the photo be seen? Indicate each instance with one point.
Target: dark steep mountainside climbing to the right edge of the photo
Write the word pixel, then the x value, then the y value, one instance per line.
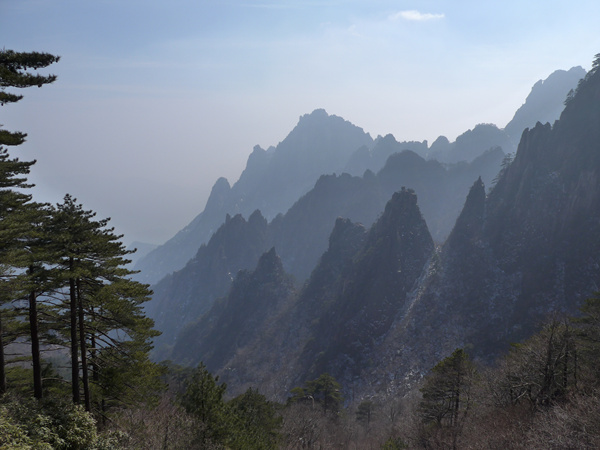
pixel 527 250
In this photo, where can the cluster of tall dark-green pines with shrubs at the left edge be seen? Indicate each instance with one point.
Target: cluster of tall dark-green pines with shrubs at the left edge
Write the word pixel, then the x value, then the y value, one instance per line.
pixel 64 289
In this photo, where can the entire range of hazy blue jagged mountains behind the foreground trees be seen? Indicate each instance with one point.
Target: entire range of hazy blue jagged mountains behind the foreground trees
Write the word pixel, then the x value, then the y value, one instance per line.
pixel 374 277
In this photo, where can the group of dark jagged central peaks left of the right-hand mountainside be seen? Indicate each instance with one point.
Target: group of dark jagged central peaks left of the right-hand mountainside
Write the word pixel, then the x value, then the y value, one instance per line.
pixel 347 305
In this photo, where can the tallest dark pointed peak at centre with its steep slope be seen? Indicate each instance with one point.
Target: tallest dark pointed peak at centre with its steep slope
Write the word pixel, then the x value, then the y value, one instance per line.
pixel 373 291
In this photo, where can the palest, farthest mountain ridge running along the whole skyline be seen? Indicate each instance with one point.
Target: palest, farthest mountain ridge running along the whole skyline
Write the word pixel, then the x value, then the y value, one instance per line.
pixel 274 179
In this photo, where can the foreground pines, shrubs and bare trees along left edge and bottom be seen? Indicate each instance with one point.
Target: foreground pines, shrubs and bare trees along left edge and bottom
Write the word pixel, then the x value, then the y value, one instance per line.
pixel 73 318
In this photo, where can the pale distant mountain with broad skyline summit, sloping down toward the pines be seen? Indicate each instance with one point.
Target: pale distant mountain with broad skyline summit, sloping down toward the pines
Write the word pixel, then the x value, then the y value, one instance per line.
pixel 272 181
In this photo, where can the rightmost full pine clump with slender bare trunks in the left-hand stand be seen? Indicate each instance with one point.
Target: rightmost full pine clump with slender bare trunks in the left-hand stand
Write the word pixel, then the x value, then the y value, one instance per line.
pixel 108 331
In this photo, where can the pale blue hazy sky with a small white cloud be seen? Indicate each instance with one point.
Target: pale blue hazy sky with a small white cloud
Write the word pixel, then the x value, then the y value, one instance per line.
pixel 157 99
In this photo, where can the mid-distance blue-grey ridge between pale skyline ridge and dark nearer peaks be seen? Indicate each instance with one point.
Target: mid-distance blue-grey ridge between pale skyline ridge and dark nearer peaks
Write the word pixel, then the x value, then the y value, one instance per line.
pixel 301 235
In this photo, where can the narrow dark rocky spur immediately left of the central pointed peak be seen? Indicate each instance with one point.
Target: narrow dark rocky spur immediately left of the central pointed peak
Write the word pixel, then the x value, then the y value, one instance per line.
pixel 272 362
